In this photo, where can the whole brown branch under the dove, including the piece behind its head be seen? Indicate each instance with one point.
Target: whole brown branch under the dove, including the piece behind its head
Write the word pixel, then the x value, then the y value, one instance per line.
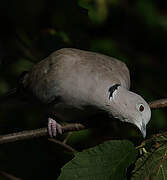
pixel 29 134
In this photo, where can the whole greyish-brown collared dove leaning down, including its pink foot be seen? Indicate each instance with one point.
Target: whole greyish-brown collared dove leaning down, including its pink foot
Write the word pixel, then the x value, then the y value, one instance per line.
pixel 76 78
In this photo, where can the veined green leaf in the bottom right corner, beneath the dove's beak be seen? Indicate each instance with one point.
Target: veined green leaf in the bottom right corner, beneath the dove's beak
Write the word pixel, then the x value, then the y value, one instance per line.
pixel 153 164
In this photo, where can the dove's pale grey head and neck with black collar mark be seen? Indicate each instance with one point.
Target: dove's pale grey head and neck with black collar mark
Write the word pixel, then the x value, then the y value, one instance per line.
pixel 129 107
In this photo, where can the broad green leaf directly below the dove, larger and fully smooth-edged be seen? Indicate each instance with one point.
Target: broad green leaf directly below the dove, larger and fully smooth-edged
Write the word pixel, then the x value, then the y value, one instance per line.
pixel 105 161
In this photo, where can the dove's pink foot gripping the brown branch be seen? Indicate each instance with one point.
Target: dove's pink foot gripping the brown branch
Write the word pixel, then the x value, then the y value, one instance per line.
pixel 53 127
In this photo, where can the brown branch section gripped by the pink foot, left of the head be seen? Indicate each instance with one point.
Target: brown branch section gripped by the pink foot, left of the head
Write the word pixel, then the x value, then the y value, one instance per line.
pixel 29 134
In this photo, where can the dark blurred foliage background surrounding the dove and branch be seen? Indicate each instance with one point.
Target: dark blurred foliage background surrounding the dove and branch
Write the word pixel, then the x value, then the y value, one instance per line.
pixel 132 31
